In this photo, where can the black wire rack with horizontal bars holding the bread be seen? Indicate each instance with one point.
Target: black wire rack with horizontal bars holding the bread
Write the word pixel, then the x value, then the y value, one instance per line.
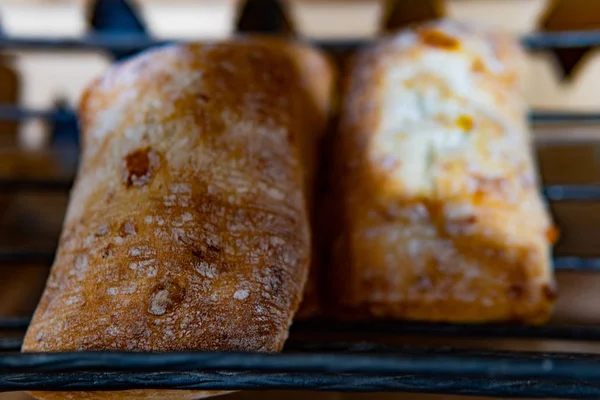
pixel 303 365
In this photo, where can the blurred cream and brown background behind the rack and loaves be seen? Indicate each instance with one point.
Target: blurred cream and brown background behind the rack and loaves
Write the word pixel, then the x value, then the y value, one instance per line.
pixel 48 82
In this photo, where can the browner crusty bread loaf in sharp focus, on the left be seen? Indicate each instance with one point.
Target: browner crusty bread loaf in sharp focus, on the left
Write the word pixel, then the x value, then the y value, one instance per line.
pixel 187 227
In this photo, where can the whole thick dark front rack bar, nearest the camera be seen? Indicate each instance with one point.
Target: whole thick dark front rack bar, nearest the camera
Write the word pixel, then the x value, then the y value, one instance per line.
pixel 482 373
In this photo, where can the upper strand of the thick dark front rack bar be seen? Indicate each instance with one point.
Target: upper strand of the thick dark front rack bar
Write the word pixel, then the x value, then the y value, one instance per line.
pixel 386 360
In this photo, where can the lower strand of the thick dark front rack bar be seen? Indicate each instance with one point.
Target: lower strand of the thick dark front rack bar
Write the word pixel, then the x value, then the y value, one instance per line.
pixel 505 388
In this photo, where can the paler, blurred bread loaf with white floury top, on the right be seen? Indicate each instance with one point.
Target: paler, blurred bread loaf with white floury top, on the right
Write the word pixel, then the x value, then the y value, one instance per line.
pixel 440 214
